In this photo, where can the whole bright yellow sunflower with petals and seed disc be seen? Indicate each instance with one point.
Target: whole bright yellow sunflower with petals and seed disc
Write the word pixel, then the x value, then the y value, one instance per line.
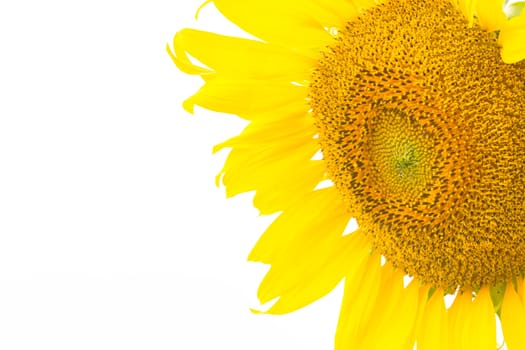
pixel 405 116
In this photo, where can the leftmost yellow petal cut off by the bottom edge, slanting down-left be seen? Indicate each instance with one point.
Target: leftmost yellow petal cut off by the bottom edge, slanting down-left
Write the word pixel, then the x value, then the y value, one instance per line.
pixel 360 297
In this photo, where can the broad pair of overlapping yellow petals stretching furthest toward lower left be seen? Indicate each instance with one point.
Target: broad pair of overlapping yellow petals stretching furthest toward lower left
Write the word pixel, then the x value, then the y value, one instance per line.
pixel 308 254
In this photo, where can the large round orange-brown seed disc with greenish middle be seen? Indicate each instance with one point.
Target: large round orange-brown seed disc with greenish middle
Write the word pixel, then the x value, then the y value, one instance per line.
pixel 421 126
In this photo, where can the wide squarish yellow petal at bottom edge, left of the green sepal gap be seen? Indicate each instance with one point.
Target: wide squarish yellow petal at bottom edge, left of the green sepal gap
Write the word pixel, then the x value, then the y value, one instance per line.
pixel 473 323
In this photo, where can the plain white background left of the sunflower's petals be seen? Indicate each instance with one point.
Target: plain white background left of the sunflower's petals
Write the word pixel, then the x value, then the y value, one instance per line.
pixel 112 232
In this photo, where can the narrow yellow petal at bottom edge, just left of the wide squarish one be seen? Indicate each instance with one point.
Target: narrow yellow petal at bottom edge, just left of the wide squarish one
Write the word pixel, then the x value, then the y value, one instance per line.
pixel 433 331
